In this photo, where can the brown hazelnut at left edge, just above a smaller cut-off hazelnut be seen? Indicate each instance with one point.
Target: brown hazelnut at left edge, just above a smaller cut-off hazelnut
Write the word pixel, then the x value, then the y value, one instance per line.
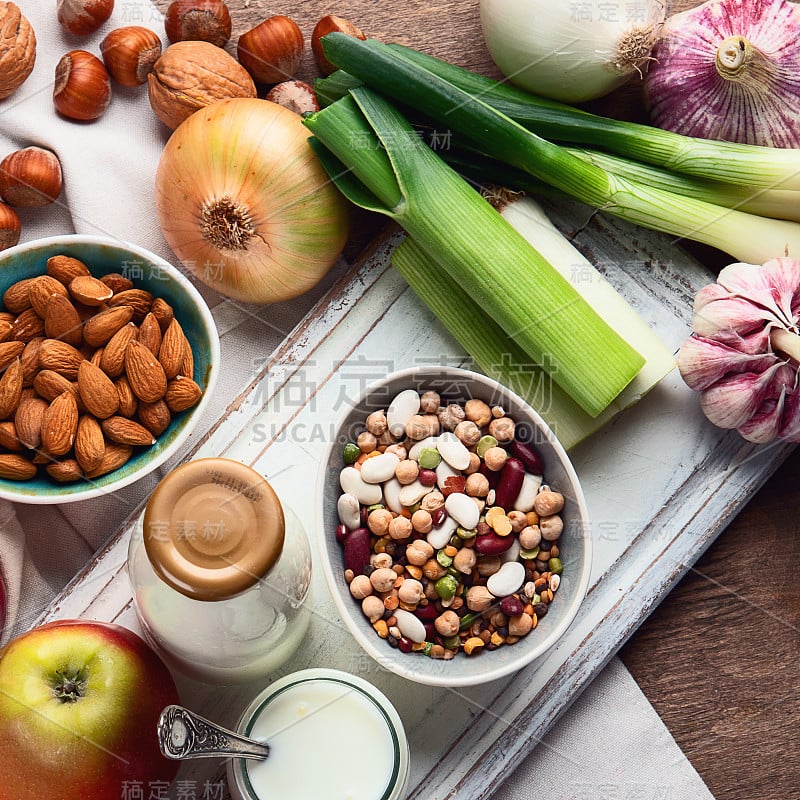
pixel 30 177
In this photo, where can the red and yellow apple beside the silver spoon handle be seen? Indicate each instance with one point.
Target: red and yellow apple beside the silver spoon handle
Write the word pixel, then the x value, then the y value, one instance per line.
pixel 79 706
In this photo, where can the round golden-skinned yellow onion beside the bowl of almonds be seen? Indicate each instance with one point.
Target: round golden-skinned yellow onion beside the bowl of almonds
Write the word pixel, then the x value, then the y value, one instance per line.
pixel 244 203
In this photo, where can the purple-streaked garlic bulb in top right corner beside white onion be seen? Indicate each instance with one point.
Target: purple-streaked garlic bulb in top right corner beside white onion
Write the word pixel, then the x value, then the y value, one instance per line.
pixel 729 69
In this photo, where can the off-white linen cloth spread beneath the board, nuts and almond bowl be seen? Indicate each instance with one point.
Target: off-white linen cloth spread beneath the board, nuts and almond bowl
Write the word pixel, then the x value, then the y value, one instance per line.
pixel 610 745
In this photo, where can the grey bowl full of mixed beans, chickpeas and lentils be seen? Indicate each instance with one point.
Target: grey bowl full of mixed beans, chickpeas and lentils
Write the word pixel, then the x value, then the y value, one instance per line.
pixel 453 528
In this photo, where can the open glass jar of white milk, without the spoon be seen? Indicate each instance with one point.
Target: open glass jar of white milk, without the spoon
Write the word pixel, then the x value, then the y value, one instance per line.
pixel 331 735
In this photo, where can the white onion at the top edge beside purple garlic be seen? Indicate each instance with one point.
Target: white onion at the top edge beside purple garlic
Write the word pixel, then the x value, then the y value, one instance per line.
pixel 570 51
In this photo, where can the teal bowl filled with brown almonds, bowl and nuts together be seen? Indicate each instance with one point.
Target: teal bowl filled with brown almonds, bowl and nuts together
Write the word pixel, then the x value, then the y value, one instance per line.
pixel 108 356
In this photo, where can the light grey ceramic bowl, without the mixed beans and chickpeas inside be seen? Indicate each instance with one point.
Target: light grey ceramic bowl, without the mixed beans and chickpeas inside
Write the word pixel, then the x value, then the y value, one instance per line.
pixel 575 544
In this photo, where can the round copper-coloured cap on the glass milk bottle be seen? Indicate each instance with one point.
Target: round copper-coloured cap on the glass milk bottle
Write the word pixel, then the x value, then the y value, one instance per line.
pixel 213 528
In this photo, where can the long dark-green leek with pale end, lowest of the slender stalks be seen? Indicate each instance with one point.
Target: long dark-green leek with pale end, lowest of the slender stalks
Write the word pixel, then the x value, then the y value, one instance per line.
pixel 745 236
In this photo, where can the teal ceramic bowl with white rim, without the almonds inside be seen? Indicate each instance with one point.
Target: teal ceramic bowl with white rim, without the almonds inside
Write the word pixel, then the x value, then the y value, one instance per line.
pixel 147 271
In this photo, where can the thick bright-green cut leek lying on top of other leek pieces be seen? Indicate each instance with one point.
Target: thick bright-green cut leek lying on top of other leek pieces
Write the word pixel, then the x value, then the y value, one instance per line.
pixel 373 154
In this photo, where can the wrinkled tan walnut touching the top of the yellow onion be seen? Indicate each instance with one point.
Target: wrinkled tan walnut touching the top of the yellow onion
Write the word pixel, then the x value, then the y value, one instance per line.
pixel 192 75
